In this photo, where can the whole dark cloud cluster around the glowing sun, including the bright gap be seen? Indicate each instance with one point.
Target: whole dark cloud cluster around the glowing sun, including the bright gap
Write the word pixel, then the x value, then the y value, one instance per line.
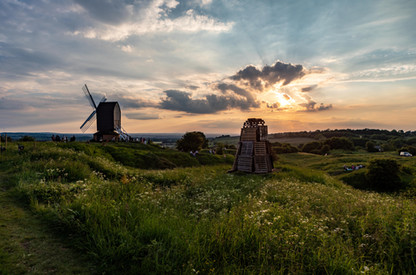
pixel 236 92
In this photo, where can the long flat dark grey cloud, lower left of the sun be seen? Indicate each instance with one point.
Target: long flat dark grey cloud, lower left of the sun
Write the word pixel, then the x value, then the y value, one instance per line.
pixel 181 101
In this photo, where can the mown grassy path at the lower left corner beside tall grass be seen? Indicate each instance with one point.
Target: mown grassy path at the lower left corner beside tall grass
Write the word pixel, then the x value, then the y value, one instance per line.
pixel 28 246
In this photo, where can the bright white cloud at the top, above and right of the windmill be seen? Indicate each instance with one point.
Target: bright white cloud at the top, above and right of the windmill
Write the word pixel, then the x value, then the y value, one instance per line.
pixel 116 21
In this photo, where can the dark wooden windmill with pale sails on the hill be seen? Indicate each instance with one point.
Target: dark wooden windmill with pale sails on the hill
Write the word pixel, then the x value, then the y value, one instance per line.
pixel 108 116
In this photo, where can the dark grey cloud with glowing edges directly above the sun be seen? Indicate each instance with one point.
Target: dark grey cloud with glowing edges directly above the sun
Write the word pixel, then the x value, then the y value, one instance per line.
pixel 269 75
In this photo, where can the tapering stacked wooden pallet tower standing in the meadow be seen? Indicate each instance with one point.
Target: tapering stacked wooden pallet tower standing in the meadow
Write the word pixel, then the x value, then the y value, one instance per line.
pixel 254 150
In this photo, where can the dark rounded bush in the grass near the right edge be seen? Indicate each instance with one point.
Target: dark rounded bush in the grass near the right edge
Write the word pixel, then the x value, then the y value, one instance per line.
pixel 383 175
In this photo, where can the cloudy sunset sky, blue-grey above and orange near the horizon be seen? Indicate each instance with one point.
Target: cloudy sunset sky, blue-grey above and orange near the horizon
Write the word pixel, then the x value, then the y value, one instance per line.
pixel 208 65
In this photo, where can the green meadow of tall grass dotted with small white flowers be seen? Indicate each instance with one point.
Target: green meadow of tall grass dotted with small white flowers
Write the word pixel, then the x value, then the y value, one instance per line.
pixel 127 215
